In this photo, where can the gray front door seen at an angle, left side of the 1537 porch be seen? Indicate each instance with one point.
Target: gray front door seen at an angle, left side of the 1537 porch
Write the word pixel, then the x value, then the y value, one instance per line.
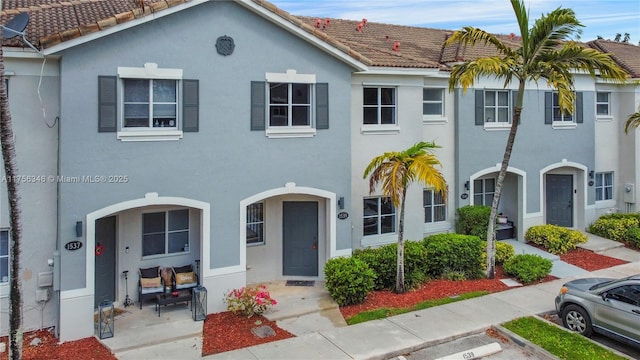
pixel 105 277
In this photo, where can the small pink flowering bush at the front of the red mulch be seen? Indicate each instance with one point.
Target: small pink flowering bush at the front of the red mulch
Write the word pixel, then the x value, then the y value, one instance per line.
pixel 249 301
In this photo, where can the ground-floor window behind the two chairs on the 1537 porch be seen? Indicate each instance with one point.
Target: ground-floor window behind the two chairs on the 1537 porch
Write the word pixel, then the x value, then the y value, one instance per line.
pixel 165 232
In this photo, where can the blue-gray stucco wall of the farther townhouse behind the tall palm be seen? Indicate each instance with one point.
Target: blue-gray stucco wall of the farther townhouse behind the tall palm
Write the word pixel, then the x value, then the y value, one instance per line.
pixel 536 145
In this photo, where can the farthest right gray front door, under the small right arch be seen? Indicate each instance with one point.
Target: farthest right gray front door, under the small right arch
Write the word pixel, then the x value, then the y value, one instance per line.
pixel 560 200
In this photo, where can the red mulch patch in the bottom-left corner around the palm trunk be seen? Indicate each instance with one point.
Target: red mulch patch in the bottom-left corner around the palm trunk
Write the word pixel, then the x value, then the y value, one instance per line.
pixel 49 348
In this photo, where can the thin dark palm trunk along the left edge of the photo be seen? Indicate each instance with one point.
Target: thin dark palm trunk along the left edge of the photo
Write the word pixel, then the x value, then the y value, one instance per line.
pixel 10 170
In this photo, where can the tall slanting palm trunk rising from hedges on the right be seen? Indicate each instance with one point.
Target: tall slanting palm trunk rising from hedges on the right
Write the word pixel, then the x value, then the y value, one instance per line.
pixel 491 234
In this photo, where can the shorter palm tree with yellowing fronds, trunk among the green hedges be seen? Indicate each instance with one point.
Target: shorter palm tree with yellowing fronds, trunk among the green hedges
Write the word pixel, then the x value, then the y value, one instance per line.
pixel 395 171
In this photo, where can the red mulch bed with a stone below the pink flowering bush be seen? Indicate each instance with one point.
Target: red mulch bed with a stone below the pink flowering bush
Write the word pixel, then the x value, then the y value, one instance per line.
pixel 225 331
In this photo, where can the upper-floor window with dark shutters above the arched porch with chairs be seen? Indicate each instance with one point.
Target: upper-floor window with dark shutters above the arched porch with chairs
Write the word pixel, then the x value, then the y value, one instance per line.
pixel 150 103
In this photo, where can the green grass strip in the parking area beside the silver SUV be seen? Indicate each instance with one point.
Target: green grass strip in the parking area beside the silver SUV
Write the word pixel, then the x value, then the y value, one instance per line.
pixel 563 344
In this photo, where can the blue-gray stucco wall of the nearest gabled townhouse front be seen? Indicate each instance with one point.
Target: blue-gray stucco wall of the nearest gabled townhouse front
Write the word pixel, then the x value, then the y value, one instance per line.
pixel 224 162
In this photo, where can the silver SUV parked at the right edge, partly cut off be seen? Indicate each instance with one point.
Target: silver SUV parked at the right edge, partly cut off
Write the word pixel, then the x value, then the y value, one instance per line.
pixel 607 306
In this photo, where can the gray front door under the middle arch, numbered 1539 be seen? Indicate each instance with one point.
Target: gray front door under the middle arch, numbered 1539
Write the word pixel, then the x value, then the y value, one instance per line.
pixel 300 238
